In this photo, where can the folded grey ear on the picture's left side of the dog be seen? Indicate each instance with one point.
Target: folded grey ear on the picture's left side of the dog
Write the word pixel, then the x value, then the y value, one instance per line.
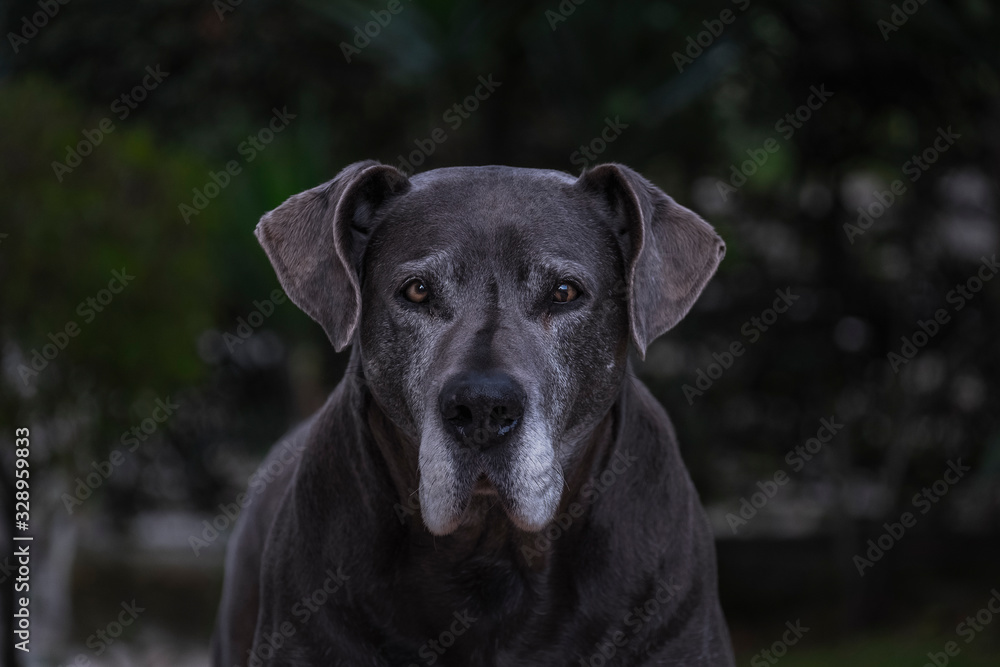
pixel 315 240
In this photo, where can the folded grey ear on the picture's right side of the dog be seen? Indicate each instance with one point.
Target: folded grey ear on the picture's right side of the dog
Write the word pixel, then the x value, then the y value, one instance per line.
pixel 670 252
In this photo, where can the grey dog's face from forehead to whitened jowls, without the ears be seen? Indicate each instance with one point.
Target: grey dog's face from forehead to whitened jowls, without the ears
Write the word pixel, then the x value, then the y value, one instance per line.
pixel 494 331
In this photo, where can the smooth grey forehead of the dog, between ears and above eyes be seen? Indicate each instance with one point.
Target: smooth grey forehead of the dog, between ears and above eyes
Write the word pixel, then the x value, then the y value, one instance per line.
pixel 518 217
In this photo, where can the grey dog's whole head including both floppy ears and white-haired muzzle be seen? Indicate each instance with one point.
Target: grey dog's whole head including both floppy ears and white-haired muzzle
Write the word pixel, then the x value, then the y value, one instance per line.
pixel 494 308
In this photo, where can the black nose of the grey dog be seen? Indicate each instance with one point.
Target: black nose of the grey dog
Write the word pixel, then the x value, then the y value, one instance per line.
pixel 482 408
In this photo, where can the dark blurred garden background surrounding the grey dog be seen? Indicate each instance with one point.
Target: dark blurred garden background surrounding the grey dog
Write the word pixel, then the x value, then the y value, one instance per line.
pixel 174 331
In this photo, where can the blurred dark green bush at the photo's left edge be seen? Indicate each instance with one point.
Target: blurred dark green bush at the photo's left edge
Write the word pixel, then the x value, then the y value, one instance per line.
pixel 116 211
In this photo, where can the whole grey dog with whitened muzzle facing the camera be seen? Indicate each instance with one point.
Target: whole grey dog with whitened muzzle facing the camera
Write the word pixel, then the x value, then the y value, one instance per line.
pixel 489 485
